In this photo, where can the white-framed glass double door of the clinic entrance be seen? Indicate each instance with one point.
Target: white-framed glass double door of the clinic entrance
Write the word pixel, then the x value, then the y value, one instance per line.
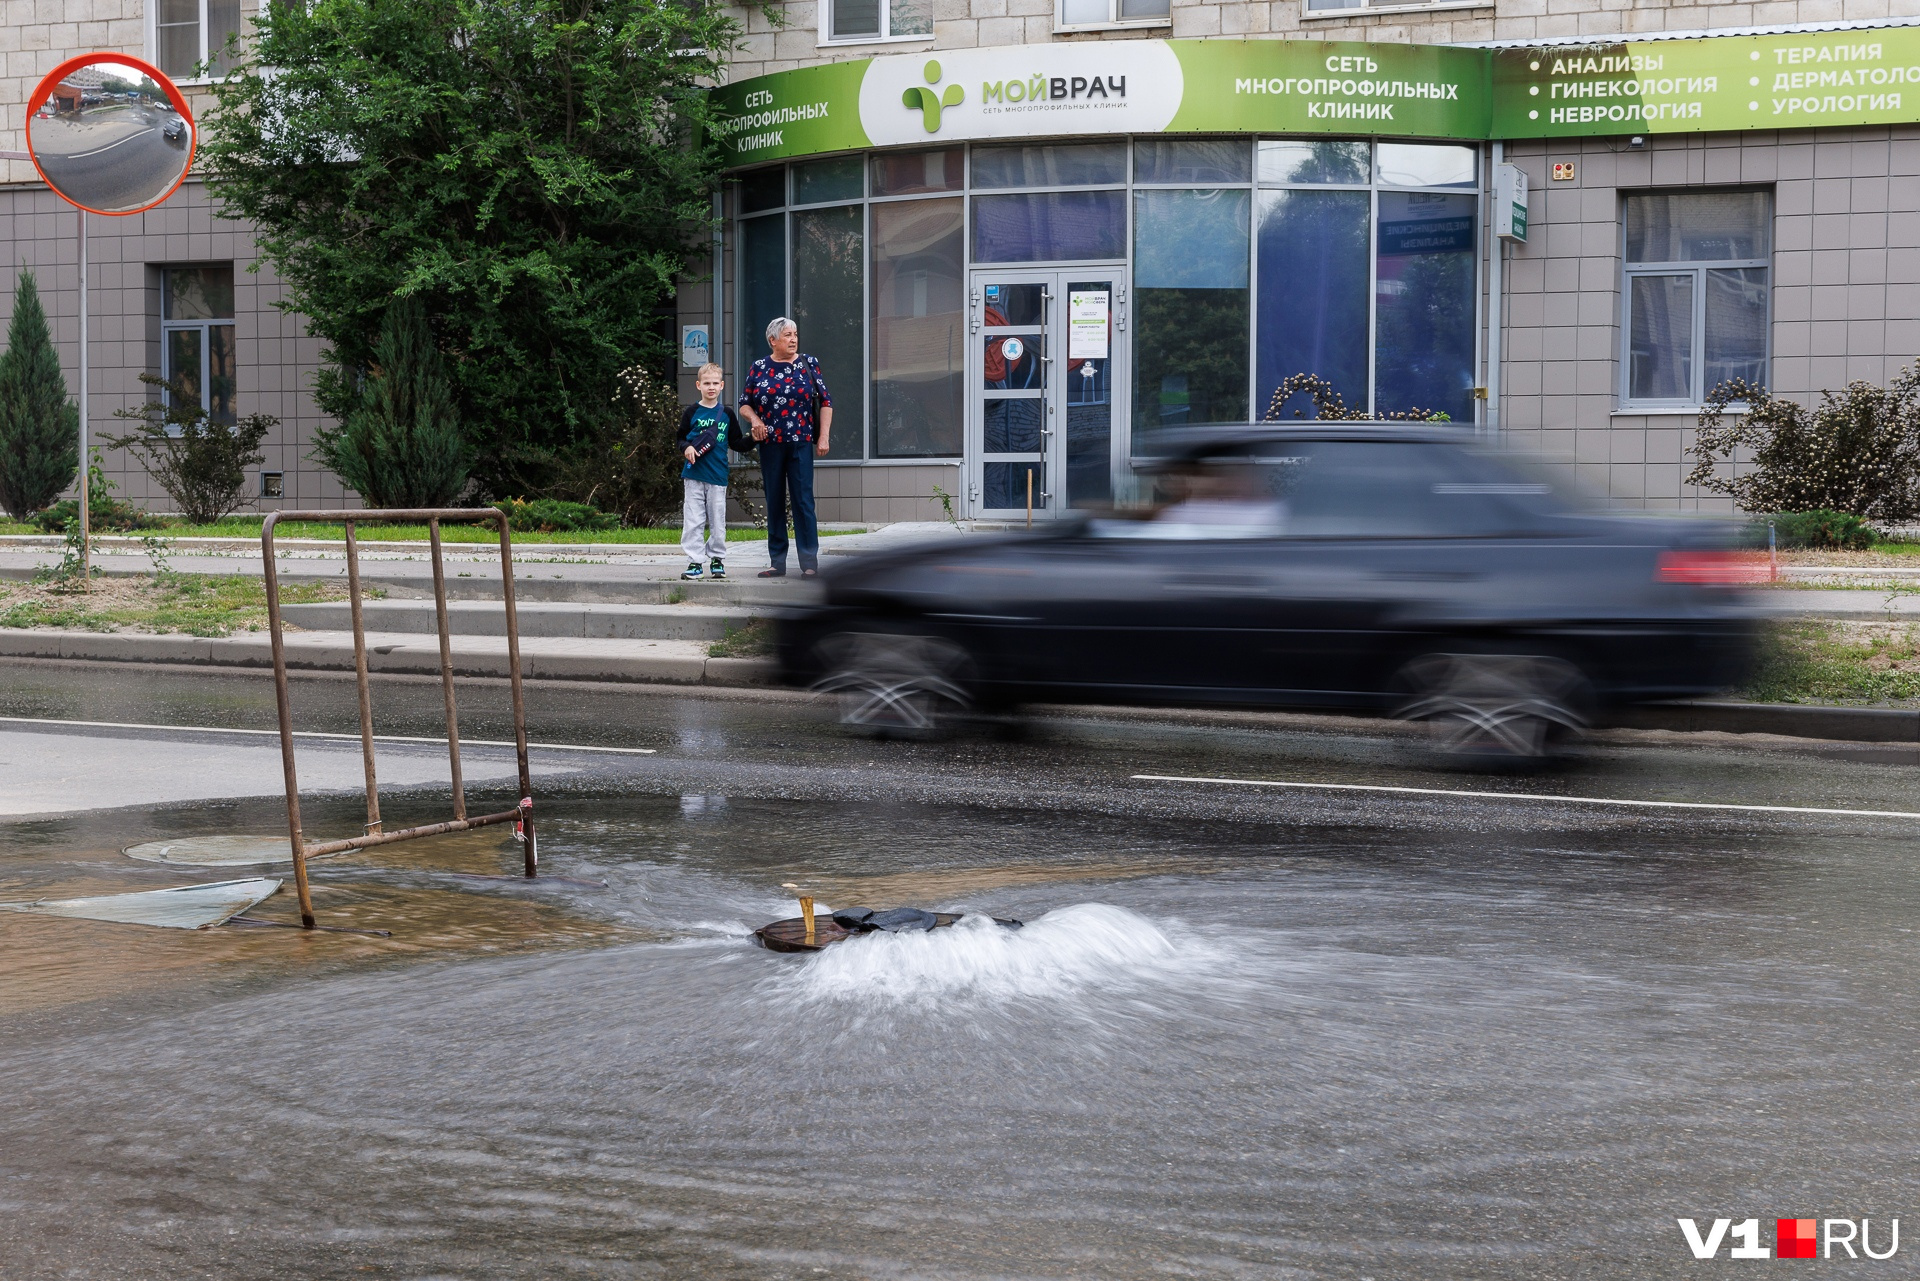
pixel 1042 412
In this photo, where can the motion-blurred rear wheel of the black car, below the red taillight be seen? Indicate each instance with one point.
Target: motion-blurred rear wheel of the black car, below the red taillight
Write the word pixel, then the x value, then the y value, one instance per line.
pixel 1495 706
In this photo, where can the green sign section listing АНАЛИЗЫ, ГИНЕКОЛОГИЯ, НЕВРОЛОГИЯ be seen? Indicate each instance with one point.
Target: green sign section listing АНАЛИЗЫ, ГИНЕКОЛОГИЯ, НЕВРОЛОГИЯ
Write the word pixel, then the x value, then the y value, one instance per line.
pixel 1710 85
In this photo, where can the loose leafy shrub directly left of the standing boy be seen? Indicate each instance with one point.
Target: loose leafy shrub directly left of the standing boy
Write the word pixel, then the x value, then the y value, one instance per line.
pixel 635 468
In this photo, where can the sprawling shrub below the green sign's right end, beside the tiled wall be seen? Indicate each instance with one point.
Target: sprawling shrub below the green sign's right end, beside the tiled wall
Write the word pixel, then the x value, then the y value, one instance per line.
pixel 1858 452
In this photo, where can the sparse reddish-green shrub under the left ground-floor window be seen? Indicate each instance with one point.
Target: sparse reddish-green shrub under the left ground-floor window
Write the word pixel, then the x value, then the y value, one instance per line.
pixel 201 464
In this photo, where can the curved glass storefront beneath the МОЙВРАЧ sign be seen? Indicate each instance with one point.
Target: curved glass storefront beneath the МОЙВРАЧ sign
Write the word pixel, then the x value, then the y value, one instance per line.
pixel 1236 264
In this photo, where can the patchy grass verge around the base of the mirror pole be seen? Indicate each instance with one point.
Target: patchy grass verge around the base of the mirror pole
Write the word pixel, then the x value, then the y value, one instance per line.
pixel 195 604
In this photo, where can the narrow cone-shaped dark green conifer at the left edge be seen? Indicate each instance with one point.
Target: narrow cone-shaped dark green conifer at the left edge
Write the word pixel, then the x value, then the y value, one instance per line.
pixel 39 423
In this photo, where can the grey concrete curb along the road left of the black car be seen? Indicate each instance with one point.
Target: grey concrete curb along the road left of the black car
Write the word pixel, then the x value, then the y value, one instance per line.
pixel 387 660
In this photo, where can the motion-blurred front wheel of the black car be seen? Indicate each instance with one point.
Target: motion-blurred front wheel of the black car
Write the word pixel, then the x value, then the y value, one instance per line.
pixel 896 683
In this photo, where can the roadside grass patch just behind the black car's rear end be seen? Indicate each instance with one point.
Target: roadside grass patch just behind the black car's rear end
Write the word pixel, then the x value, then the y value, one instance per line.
pixel 1829 662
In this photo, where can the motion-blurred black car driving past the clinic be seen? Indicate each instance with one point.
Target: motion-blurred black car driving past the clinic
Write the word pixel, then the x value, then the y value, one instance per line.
pixel 1403 571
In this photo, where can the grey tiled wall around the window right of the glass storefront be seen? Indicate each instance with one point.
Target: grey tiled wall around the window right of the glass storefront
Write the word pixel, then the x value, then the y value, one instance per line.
pixel 1846 287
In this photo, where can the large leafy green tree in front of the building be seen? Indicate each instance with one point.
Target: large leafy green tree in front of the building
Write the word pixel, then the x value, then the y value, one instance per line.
pixel 539 172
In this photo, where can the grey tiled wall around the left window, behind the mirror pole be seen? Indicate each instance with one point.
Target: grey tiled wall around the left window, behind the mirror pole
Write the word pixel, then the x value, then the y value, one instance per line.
pixel 276 360
